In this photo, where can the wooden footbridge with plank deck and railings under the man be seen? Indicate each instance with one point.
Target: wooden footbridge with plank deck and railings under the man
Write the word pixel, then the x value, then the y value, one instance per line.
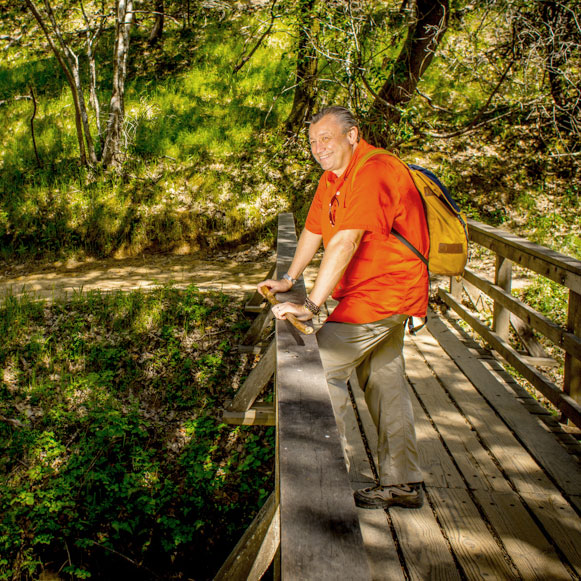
pixel 502 474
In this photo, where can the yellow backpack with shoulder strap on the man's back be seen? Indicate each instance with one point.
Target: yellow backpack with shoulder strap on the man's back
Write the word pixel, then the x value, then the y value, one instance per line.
pixel 446 222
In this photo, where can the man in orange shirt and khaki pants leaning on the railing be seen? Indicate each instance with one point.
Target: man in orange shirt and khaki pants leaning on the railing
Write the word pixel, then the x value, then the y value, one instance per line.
pixel 378 283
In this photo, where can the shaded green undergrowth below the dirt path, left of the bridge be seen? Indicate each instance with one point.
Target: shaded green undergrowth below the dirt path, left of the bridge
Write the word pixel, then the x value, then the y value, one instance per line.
pixel 113 462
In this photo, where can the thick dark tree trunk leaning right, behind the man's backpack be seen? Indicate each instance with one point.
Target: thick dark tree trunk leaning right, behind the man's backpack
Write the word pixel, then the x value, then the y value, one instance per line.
pixel 424 35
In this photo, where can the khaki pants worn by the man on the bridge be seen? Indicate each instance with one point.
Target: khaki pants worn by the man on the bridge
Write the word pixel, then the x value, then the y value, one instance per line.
pixel 375 351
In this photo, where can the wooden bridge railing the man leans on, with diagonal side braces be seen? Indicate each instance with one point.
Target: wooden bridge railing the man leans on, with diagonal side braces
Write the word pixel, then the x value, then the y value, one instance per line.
pixel 309 526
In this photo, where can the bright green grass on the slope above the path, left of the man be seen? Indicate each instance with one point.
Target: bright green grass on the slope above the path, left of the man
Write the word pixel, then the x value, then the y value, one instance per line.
pixel 195 137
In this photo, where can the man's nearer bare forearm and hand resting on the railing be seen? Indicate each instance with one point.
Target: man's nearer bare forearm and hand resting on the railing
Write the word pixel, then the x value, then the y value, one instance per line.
pixel 338 254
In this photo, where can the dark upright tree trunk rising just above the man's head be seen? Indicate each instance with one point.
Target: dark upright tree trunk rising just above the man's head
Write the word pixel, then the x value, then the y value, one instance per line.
pixel 307 65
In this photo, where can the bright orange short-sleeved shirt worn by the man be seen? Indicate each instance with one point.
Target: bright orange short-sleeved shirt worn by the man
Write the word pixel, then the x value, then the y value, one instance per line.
pixel 384 277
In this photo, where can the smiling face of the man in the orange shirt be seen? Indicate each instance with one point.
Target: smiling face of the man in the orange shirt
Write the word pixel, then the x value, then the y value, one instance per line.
pixel 331 146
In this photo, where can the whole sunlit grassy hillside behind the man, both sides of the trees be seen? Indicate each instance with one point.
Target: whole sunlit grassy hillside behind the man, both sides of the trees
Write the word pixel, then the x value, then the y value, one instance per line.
pixel 207 164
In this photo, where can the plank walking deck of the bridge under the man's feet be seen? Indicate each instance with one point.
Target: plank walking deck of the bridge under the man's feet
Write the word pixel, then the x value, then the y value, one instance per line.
pixel 502 481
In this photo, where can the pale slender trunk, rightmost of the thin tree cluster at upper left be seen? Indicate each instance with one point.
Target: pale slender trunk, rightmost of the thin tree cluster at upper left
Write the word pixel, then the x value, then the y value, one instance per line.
pixel 112 147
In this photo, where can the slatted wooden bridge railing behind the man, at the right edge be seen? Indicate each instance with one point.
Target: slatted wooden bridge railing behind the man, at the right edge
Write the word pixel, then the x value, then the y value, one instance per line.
pixel 508 310
